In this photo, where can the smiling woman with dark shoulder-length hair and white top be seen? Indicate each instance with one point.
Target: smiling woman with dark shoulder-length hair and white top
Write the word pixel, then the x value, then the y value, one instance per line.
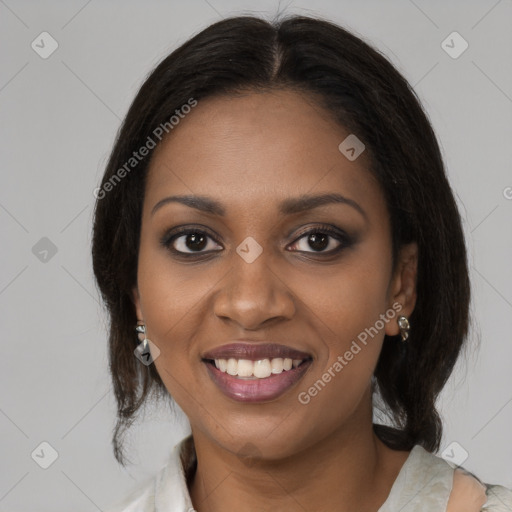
pixel 276 228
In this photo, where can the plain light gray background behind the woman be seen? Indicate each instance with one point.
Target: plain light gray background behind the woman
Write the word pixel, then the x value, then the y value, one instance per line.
pixel 59 119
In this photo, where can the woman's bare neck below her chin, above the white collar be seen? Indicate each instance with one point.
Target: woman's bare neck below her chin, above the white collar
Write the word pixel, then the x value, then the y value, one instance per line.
pixel 350 469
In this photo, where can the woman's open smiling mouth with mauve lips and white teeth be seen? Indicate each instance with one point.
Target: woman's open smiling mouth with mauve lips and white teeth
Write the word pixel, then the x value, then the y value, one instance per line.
pixel 256 372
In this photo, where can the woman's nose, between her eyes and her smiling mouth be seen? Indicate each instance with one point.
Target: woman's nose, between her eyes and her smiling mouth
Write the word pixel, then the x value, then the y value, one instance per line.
pixel 253 294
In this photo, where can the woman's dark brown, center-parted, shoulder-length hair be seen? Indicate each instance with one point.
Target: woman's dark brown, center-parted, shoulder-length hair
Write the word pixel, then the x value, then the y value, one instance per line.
pixel 365 94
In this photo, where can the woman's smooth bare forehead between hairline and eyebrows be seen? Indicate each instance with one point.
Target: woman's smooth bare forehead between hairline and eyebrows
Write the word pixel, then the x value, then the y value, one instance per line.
pixel 258 146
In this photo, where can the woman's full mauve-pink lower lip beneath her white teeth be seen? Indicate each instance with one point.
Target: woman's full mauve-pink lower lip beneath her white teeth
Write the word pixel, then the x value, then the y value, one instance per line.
pixel 257 390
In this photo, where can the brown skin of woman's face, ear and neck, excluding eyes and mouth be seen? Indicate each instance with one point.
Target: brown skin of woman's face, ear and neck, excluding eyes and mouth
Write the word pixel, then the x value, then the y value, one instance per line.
pixel 249 153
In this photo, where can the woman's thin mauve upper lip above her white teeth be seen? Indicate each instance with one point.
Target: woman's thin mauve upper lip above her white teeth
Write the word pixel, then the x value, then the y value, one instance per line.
pixel 255 352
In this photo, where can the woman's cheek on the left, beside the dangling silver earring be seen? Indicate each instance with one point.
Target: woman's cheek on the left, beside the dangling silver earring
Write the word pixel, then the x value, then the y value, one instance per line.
pixel 177 306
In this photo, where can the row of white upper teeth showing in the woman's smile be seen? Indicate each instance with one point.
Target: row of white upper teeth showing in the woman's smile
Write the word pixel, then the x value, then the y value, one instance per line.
pixel 260 369
